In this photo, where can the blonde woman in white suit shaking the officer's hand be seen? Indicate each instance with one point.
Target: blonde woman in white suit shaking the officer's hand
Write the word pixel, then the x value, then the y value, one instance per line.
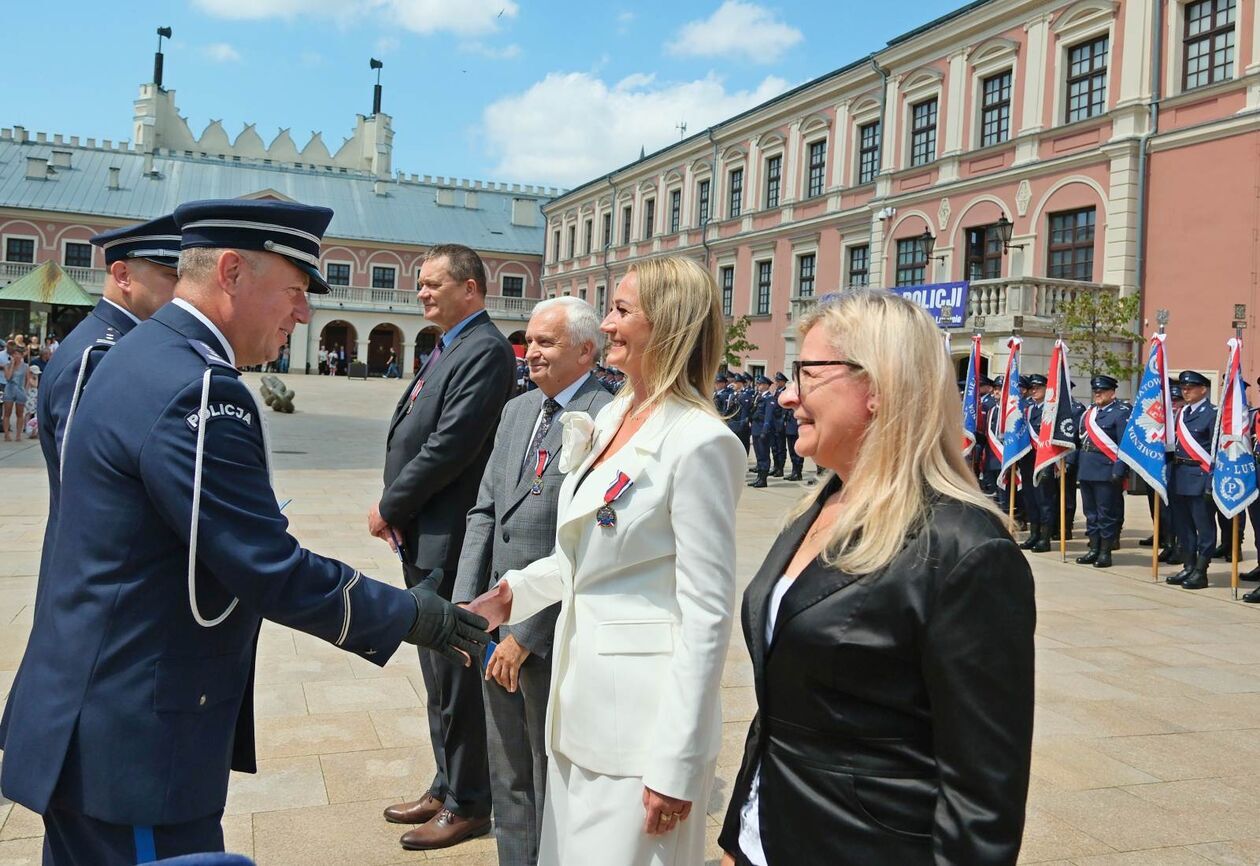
pixel 644 572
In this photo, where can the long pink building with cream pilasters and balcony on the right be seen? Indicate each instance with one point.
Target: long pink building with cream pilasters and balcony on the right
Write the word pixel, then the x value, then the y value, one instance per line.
pixel 1036 149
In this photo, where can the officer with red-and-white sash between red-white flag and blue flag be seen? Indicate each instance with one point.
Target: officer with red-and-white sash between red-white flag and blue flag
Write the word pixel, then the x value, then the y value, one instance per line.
pixel 1101 472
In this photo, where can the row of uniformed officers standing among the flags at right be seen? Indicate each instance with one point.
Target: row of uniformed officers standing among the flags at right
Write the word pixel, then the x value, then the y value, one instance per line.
pixel 1189 524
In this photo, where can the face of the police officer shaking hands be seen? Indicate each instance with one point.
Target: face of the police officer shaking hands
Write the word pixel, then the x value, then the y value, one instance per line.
pixel 269 304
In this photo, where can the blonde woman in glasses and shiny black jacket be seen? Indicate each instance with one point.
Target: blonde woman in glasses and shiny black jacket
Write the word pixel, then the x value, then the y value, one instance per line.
pixel 891 626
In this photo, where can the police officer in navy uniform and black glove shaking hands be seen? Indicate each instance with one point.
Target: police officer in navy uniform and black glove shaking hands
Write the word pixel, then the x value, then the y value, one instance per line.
pixel 135 696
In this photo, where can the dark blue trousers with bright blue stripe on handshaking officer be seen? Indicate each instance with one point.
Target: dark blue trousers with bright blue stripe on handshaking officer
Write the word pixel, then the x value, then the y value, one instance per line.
pixel 72 839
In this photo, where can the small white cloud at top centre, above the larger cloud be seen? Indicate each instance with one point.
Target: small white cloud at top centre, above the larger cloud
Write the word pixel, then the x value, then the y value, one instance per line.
pixel 736 28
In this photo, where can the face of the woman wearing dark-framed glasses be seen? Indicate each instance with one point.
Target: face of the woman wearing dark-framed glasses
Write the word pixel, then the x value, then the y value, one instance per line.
pixel 835 409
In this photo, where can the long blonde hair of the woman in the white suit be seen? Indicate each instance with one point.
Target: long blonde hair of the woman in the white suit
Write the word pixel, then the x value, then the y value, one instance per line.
pixel 682 303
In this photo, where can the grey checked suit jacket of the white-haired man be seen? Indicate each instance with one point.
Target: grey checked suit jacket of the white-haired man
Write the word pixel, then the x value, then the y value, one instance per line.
pixel 508 528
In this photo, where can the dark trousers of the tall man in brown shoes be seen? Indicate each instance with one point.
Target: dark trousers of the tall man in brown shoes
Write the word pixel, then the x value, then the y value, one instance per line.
pixel 457 722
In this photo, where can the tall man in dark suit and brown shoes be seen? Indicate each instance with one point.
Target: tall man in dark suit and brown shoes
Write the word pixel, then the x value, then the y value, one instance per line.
pixel 439 443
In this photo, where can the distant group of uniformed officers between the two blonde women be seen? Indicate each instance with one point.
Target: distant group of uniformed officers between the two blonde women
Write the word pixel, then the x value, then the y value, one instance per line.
pixel 750 405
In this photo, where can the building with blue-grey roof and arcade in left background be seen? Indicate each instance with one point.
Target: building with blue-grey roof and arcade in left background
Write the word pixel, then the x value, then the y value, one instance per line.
pixel 56 192
